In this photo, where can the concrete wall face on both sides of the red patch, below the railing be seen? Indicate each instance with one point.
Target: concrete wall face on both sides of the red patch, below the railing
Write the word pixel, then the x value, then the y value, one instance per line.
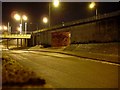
pixel 104 30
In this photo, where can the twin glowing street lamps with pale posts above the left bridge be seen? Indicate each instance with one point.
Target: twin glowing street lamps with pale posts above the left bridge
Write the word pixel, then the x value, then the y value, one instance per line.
pixel 20 18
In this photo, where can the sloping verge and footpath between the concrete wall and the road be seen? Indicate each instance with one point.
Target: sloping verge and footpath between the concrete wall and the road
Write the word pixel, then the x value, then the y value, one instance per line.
pixel 103 52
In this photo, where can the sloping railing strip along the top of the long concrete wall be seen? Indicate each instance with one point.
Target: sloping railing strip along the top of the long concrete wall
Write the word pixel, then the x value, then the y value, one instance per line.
pixel 94 18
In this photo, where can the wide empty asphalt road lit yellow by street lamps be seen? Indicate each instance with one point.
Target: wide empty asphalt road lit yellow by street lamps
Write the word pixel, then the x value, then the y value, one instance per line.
pixel 64 71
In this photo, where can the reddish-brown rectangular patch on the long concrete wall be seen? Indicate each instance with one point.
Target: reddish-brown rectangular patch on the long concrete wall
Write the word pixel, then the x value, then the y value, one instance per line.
pixel 61 38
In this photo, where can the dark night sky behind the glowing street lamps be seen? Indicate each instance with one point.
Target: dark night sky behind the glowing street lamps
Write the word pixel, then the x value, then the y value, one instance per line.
pixel 66 12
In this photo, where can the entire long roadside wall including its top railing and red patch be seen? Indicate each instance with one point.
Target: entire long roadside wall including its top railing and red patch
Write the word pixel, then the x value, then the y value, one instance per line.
pixel 96 29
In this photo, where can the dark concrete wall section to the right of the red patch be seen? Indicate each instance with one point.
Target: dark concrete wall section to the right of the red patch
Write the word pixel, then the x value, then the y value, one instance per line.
pixel 99 31
